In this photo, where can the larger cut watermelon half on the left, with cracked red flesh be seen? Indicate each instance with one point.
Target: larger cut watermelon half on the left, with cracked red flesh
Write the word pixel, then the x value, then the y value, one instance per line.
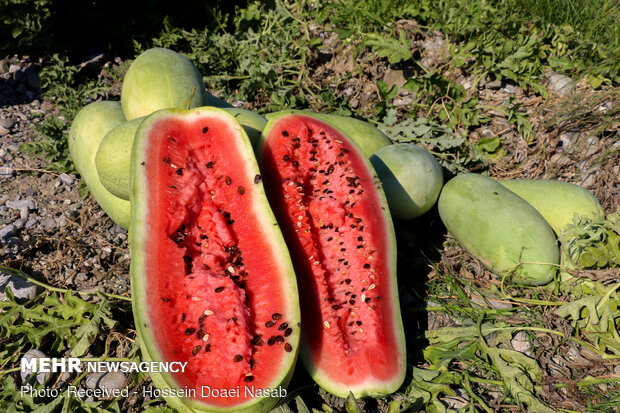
pixel 169 291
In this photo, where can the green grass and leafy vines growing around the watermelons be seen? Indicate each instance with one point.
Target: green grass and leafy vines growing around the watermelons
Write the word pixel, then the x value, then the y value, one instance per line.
pixel 265 55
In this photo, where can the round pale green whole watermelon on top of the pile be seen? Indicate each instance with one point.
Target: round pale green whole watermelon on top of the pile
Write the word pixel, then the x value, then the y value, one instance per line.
pixel 160 78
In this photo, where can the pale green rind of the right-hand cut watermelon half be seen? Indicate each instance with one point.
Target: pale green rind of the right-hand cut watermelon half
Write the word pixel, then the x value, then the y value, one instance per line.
pixel 370 388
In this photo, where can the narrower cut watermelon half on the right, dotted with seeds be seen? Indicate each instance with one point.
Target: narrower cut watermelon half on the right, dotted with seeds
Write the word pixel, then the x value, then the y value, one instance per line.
pixel 352 333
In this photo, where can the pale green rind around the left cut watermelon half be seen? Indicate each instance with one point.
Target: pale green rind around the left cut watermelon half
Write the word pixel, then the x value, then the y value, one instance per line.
pixel 139 280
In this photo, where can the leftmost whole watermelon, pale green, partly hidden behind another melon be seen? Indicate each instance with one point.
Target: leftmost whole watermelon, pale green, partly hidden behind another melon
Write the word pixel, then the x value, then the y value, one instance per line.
pixel 88 129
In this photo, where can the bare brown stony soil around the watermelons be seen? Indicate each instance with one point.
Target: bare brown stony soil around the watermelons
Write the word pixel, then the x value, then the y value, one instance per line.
pixel 69 242
